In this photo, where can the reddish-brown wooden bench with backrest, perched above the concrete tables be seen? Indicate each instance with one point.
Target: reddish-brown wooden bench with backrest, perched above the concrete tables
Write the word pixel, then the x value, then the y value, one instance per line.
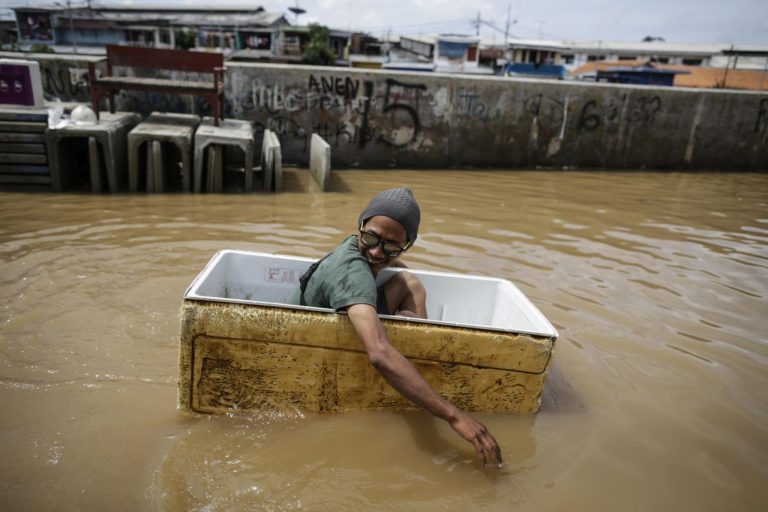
pixel 158 59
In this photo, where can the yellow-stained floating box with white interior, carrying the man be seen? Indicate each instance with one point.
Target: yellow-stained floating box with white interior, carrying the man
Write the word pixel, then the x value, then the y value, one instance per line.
pixel 485 347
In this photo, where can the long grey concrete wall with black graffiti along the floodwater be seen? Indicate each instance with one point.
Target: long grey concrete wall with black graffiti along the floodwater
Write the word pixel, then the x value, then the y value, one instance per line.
pixel 382 119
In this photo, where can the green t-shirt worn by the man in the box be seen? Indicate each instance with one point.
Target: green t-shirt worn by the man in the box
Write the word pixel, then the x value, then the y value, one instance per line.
pixel 342 279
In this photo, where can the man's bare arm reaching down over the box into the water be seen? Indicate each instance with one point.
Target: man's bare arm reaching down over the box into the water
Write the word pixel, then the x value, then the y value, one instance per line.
pixel 402 376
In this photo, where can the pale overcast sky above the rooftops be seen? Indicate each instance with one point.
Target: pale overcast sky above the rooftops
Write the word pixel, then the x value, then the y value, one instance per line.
pixel 682 21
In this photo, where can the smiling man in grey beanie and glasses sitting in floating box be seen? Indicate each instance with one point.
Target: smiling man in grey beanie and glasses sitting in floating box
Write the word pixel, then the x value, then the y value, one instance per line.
pixel 345 279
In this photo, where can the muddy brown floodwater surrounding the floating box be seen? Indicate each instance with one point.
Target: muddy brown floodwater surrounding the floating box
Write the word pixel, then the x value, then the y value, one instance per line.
pixel 657 397
